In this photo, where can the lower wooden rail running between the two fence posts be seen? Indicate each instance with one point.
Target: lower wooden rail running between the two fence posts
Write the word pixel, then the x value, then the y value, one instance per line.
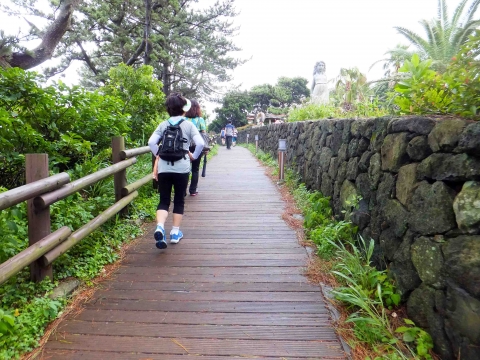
pixel 87 229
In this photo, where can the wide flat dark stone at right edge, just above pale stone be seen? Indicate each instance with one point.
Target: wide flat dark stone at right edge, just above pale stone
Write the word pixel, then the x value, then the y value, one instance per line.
pixel 449 167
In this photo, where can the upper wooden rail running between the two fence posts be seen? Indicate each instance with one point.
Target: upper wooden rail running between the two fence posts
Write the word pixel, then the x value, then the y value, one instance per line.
pixel 41 202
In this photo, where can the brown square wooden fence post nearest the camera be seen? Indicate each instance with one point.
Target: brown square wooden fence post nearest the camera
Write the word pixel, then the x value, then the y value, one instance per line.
pixel 36 168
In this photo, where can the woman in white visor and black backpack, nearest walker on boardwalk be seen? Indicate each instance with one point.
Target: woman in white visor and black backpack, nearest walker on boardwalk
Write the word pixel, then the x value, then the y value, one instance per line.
pixel 170 143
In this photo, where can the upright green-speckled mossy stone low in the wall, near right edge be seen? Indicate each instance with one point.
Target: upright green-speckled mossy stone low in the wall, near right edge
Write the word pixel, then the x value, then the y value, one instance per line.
pixel 428 260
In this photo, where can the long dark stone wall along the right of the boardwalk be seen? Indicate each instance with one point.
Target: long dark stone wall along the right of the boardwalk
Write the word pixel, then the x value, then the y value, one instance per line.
pixel 419 179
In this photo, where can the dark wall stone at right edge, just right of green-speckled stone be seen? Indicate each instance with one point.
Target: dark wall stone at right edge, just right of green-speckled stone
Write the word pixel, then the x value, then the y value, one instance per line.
pixel 462 262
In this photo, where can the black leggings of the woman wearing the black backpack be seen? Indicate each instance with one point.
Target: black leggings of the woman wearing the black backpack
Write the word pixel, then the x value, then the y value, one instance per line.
pixel 179 183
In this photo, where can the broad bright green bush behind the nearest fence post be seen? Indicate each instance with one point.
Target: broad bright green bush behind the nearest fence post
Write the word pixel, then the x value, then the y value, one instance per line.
pixel 58 120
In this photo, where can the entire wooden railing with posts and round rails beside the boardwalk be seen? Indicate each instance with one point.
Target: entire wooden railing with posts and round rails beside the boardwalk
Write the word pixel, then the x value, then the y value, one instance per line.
pixel 42 190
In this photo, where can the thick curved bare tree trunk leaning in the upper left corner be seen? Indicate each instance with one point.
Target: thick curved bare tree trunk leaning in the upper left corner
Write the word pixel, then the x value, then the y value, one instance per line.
pixel 51 38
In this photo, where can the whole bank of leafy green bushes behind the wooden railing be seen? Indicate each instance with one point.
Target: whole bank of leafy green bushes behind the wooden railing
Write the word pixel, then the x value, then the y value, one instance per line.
pixel 71 124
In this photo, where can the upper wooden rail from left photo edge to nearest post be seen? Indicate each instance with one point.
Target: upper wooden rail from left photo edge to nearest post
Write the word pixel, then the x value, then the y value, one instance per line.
pixel 15 196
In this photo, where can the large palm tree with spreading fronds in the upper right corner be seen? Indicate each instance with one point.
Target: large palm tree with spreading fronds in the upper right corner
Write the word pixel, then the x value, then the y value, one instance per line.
pixel 444 36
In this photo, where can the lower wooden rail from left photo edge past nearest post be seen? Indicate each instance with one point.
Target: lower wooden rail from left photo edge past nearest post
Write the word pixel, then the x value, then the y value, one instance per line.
pixel 13 265
